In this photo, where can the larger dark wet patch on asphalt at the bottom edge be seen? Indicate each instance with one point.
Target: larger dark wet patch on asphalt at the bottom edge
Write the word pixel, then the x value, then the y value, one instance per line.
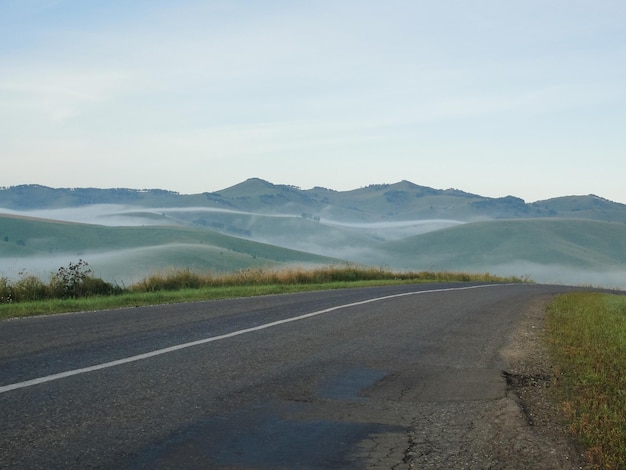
pixel 263 437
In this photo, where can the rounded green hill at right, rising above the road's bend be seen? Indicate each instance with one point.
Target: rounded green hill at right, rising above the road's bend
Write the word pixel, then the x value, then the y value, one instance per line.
pixel 570 244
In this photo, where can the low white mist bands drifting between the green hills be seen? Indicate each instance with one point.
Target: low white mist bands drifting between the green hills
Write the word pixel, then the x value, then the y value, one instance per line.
pixel 356 242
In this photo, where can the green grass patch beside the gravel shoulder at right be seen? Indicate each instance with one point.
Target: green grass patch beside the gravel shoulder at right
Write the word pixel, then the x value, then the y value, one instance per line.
pixel 587 334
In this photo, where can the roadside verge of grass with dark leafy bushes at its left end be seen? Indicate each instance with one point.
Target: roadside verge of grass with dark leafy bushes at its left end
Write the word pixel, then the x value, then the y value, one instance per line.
pixel 74 289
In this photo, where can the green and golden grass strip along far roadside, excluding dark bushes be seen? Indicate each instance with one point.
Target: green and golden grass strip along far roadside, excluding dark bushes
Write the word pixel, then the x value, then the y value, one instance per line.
pixel 187 286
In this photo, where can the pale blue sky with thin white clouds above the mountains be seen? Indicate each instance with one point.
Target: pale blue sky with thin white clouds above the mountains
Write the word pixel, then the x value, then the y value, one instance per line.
pixel 493 97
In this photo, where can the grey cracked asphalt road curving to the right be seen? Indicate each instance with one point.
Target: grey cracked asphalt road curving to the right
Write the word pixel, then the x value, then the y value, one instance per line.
pixel 356 378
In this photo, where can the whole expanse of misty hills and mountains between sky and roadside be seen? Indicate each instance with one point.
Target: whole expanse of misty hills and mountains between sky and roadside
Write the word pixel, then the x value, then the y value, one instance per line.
pixel 571 240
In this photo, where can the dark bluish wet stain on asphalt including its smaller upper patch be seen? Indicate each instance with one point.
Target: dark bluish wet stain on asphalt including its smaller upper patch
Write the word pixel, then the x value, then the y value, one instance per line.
pixel 280 433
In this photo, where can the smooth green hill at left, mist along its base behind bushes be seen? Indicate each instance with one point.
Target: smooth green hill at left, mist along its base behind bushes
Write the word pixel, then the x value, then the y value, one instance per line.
pixel 125 254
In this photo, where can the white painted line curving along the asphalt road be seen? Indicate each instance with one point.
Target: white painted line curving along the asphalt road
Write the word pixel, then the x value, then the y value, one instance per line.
pixel 158 352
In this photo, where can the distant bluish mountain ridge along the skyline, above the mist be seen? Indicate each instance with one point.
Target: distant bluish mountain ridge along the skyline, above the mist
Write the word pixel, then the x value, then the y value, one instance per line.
pixel 378 202
